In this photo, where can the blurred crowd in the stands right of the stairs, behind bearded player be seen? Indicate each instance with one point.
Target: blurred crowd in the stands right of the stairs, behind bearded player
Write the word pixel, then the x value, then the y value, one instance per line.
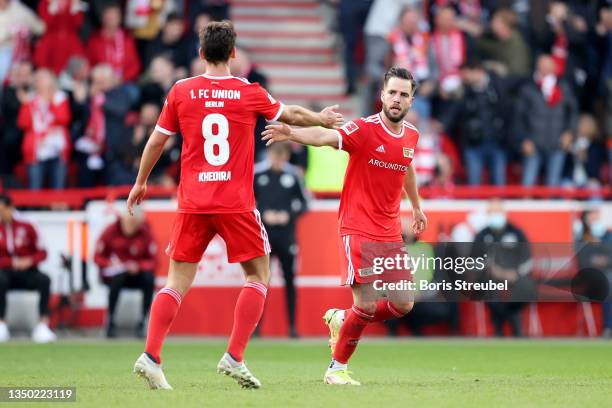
pixel 510 91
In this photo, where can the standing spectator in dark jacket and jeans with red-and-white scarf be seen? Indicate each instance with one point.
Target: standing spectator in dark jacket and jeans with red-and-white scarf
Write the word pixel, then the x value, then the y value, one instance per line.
pixel 546 118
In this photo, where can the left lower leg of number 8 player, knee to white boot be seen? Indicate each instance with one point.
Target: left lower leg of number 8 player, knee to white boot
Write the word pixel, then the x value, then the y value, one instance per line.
pixel 163 311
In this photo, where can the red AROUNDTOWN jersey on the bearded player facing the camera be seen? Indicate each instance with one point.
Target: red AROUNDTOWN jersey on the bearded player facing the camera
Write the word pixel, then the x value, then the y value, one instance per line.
pixel 374 179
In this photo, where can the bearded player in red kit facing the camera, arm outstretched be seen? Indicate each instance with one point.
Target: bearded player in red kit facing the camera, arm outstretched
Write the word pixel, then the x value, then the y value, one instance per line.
pixel 381 148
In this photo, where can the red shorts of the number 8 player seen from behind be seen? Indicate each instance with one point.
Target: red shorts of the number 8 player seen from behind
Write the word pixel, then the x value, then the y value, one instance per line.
pixel 244 234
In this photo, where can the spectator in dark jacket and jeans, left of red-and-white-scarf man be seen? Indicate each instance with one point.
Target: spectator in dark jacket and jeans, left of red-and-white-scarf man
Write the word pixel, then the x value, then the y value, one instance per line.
pixel 481 117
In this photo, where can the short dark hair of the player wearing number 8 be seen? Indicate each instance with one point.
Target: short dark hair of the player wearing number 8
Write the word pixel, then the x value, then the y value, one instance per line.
pixel 217 40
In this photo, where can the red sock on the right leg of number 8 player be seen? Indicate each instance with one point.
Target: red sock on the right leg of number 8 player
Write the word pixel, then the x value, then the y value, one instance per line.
pixel 249 307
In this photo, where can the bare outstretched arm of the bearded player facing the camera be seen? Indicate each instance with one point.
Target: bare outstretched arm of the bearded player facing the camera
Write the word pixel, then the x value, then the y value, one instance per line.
pixel 314 136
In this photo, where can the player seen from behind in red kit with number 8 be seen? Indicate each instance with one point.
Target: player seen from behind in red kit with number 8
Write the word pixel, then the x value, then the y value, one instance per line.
pixel 215 113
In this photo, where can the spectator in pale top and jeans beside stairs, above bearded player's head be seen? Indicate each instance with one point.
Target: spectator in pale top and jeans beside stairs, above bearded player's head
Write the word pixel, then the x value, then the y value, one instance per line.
pixel 382 17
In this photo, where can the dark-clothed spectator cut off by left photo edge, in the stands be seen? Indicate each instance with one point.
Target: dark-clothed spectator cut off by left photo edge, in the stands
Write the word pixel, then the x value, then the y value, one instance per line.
pixel 11 136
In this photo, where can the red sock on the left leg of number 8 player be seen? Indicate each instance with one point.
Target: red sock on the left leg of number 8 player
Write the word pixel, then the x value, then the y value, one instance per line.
pixel 163 311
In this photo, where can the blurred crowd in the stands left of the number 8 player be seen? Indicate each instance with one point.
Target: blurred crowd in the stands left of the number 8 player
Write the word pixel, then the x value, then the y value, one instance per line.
pixel 82 84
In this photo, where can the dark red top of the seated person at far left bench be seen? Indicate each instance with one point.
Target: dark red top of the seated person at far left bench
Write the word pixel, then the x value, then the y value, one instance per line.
pixel 19 239
